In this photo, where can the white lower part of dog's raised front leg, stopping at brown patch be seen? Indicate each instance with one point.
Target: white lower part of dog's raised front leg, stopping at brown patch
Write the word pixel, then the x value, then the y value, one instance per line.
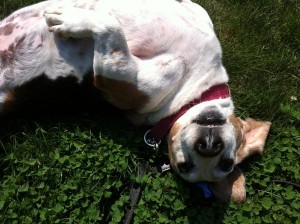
pixel 112 58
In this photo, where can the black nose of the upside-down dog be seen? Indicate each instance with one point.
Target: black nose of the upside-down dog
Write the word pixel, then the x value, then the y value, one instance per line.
pixel 209 143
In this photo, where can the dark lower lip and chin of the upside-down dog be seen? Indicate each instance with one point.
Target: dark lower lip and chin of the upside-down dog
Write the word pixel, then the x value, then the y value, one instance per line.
pixel 210 117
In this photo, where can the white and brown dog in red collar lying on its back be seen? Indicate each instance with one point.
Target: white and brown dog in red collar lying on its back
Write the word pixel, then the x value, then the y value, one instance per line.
pixel 160 60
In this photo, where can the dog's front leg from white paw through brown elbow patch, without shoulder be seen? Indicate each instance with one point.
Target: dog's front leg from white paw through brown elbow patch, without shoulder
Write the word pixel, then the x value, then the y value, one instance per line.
pixel 115 68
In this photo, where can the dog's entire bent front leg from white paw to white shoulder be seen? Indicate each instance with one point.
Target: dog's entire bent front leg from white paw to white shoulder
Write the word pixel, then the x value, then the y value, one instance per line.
pixel 126 80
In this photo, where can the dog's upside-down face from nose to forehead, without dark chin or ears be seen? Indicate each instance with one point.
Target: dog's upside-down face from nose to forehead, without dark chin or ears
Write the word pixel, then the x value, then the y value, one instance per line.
pixel 207 155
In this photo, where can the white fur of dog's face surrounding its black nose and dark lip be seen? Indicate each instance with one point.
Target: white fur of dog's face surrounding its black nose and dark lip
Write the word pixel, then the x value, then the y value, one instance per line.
pixel 206 168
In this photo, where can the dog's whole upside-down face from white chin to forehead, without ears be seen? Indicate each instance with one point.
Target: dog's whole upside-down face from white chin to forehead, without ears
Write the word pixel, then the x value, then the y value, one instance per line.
pixel 202 147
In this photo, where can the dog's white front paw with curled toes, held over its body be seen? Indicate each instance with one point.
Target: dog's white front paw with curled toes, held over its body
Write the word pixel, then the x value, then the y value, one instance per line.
pixel 67 22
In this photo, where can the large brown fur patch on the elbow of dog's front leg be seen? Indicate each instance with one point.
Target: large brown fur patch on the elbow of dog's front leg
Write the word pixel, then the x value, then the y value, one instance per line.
pixel 122 94
